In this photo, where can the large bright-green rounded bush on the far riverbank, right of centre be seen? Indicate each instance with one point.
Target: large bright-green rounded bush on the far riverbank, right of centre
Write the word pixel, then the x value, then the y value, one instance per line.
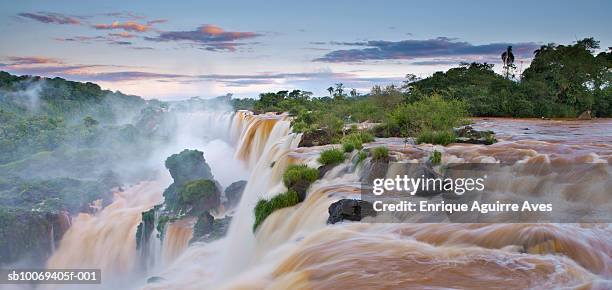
pixel 432 113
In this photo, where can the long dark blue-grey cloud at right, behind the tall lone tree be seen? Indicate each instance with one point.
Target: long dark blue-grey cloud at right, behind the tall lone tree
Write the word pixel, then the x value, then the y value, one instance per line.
pixel 415 49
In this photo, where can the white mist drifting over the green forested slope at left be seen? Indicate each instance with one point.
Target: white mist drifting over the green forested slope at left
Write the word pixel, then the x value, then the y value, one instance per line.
pixel 65 145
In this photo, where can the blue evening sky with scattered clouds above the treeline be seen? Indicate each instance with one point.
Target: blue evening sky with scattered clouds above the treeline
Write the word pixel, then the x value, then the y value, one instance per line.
pixel 180 49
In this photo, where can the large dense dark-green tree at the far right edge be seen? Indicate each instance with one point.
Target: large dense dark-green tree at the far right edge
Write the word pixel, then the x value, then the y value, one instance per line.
pixel 566 80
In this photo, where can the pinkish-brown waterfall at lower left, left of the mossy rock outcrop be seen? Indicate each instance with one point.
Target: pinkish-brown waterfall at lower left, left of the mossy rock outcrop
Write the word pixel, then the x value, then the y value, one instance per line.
pixel 106 240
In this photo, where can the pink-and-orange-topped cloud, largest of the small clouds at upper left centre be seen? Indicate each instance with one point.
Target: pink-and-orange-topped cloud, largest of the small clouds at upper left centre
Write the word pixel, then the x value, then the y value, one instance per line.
pixel 210 37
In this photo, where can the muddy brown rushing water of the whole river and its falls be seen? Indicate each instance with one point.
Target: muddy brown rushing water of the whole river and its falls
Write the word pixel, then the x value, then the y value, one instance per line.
pixel 295 249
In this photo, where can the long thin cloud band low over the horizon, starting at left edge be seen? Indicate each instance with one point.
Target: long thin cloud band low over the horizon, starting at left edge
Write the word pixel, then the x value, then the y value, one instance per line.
pixel 105 73
